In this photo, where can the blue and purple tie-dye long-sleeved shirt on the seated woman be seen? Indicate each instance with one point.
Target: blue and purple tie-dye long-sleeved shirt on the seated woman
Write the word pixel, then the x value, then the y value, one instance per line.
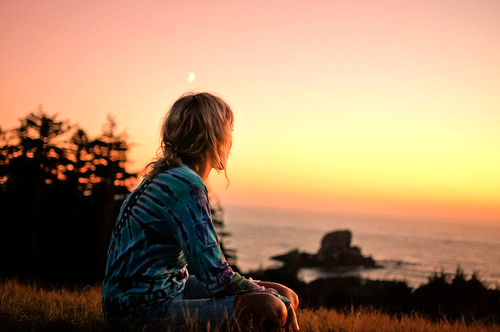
pixel 167 231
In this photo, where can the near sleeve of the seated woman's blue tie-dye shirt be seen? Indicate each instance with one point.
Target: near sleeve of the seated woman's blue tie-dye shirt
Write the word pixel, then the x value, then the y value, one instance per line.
pixel 201 248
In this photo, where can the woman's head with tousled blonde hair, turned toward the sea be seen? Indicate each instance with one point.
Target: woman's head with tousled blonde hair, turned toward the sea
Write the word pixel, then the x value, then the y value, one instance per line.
pixel 196 129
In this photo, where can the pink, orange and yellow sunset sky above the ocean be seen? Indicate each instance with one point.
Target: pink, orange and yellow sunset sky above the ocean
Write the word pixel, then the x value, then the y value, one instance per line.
pixel 387 106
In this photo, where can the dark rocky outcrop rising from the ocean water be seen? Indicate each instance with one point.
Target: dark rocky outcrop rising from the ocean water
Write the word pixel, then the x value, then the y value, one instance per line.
pixel 335 252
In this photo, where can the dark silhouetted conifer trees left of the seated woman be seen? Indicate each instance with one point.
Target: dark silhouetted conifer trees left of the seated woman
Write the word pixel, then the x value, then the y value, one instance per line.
pixel 60 192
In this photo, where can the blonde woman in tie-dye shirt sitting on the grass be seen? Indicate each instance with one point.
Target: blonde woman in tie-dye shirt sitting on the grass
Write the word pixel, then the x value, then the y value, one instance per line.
pixel 165 263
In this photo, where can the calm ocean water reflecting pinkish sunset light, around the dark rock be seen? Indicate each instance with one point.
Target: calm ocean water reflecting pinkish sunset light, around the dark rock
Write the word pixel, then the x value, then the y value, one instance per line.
pixel 408 248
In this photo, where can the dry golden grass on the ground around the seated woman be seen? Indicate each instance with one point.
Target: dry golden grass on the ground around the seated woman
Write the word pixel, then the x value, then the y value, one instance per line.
pixel 32 308
